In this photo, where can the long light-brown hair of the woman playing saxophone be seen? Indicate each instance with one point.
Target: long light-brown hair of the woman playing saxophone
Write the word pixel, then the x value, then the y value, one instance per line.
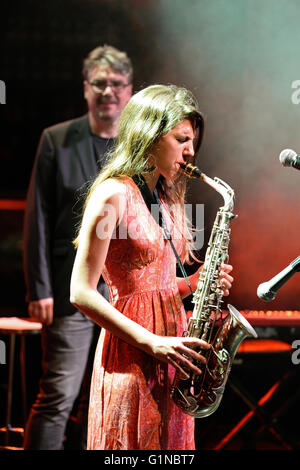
pixel 149 114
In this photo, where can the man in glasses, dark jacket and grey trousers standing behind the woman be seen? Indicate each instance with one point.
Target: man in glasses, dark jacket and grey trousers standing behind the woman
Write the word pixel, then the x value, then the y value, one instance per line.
pixel 69 156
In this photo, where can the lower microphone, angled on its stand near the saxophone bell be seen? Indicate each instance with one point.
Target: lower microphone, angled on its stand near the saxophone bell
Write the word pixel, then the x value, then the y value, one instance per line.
pixel 268 290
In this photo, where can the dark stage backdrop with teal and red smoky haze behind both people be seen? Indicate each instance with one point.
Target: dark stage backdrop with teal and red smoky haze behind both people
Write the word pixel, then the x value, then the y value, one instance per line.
pixel 239 57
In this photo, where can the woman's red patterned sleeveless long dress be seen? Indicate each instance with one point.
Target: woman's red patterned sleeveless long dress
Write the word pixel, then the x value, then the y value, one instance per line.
pixel 130 405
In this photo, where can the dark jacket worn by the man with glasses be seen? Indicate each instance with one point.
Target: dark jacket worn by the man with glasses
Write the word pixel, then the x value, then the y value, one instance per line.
pixel 64 163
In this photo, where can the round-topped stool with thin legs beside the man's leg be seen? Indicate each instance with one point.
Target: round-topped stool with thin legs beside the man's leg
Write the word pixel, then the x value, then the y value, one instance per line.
pixel 13 326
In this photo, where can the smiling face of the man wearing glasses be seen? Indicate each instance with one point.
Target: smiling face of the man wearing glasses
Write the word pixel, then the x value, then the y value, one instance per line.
pixel 106 102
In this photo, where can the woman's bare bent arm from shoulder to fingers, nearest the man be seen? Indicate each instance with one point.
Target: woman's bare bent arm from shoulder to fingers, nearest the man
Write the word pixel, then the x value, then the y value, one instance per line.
pixel 105 209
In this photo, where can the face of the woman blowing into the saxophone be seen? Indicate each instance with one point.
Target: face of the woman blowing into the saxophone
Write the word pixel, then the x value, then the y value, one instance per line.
pixel 174 148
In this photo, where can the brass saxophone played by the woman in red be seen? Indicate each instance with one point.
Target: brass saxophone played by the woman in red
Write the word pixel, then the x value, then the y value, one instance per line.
pixel 200 395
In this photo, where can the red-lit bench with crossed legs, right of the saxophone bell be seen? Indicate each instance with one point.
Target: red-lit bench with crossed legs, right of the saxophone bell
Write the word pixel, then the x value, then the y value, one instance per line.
pixel 258 346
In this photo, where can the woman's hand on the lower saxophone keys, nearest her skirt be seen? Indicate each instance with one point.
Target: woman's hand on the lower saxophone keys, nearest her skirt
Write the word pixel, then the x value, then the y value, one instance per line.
pixel 179 352
